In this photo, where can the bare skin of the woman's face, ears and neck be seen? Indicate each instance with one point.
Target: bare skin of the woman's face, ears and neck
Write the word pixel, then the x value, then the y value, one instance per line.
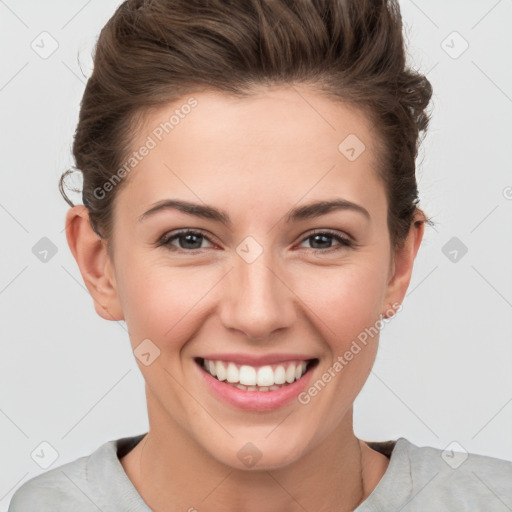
pixel 256 158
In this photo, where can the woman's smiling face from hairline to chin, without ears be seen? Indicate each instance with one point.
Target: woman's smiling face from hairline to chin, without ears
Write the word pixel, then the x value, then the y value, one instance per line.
pixel 265 288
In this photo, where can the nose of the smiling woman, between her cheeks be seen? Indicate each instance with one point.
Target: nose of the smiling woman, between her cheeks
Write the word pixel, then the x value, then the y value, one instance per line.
pixel 256 300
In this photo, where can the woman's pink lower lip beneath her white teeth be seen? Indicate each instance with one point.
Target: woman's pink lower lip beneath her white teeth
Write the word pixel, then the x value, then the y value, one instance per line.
pixel 256 400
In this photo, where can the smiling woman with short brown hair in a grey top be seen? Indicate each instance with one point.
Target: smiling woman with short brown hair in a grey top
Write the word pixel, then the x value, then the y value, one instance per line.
pixel 250 210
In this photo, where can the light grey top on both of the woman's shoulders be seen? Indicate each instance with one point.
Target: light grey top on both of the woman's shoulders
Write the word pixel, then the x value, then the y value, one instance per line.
pixel 417 479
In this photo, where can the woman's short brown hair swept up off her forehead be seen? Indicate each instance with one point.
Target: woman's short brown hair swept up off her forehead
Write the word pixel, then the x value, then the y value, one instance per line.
pixel 152 52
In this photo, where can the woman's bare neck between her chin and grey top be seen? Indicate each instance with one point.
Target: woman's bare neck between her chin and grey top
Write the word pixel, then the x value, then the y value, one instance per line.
pixel 172 472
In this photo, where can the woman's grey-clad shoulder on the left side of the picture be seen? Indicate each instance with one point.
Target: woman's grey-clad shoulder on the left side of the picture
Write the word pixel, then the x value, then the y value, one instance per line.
pixel 89 483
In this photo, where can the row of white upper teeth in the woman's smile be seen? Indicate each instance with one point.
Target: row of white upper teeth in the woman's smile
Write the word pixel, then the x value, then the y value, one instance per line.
pixel 263 378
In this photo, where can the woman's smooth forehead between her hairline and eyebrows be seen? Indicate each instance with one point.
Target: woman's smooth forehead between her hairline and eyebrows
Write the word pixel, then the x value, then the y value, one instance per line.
pixel 263 150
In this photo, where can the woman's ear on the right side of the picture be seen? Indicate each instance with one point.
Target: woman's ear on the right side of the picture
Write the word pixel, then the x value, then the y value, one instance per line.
pixel 402 263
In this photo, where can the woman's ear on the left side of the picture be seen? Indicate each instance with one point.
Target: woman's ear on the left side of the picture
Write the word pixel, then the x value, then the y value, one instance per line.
pixel 90 252
